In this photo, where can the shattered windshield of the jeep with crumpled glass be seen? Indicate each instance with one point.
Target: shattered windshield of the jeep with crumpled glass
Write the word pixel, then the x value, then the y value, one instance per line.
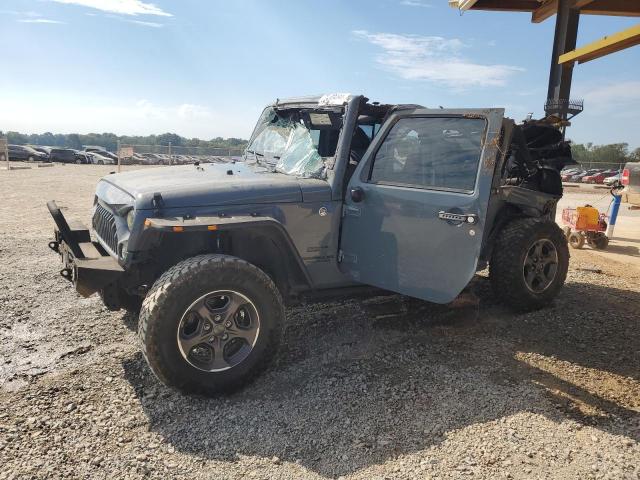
pixel 289 142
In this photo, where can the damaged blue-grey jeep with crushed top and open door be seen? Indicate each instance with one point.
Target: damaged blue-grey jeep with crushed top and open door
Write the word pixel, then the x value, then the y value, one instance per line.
pixel 335 196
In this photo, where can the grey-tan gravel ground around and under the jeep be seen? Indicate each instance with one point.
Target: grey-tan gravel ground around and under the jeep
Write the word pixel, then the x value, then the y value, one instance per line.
pixel 466 390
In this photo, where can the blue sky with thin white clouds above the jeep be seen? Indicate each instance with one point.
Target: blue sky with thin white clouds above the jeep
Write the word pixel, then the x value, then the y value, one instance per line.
pixel 206 68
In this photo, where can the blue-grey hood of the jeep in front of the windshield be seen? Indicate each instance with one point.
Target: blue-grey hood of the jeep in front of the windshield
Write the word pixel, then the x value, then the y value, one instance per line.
pixel 207 184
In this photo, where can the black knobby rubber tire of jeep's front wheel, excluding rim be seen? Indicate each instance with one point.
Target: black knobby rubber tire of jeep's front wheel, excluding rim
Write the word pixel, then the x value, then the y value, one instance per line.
pixel 172 294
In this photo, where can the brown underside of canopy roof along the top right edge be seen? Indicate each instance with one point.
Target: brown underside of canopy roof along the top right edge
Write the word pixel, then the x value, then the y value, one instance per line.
pixel 543 9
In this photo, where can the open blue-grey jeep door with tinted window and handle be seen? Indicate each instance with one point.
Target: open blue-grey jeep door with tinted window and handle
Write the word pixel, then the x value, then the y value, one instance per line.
pixel 415 208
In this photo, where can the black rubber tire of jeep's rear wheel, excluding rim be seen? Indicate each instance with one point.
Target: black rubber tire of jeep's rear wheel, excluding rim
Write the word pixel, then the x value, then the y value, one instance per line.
pixel 507 263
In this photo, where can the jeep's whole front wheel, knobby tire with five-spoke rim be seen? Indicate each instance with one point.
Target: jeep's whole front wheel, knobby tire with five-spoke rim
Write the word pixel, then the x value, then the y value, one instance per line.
pixel 210 324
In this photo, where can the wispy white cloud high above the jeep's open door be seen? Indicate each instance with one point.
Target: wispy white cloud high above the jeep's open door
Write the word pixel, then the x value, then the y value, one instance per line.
pixel 434 59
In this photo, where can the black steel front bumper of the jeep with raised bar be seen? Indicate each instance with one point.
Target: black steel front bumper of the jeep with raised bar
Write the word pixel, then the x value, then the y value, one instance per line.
pixel 86 263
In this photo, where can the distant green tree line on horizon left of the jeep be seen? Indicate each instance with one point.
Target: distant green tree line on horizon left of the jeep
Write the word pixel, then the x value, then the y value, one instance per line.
pixel 110 140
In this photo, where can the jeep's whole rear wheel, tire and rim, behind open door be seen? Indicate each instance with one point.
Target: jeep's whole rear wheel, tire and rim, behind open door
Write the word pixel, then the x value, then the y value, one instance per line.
pixel 529 263
